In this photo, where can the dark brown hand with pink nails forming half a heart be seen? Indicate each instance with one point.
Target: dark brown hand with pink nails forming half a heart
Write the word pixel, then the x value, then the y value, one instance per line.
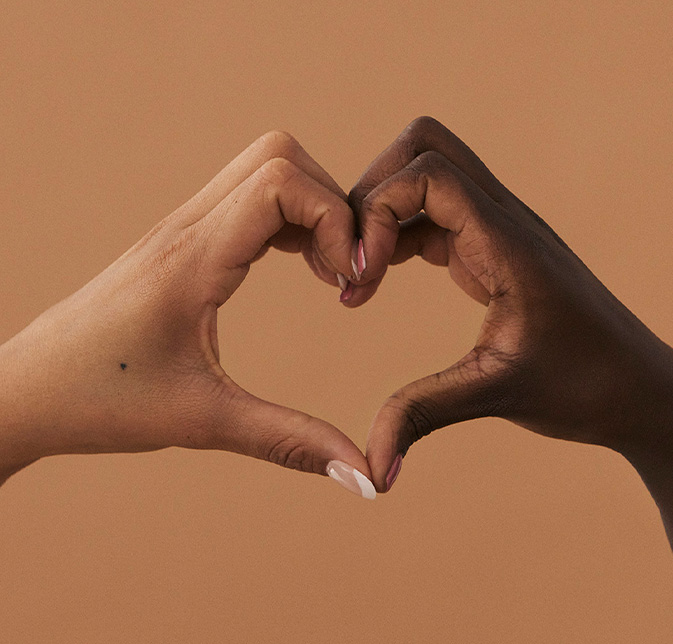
pixel 557 353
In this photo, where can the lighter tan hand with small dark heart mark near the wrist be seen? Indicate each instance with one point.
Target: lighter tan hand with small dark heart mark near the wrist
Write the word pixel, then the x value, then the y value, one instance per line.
pixel 131 362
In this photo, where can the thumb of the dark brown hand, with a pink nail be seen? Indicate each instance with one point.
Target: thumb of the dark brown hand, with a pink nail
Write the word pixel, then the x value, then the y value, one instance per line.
pixel 461 392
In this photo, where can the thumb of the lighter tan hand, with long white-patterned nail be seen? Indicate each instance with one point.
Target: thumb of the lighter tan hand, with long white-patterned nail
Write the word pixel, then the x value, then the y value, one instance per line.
pixel 293 439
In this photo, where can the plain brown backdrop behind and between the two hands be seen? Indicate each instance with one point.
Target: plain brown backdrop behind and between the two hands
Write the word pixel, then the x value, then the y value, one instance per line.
pixel 113 114
